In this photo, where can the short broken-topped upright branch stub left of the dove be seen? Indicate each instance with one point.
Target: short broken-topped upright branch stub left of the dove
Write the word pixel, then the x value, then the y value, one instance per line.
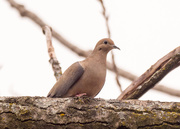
pixel 53 60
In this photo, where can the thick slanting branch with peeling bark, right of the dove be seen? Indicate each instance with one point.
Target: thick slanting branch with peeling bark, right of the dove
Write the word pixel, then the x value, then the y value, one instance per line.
pixel 153 75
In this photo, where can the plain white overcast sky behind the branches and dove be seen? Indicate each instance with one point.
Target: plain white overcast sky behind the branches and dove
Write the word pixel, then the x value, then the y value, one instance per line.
pixel 144 30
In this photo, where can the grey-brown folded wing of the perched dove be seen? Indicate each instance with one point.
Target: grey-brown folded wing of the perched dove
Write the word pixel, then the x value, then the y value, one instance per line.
pixel 66 81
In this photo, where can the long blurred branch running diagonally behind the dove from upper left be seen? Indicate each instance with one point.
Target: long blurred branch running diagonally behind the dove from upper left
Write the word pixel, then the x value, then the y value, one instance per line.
pixel 26 13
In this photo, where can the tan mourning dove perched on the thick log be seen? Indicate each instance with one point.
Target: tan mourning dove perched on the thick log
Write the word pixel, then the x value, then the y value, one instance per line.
pixel 86 77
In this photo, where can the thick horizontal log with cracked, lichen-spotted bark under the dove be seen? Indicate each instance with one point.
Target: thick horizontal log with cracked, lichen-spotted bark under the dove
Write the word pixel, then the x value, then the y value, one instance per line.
pixel 88 113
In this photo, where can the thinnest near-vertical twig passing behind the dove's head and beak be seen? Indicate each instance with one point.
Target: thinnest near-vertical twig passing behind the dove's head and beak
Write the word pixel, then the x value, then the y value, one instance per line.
pixel 109 36
